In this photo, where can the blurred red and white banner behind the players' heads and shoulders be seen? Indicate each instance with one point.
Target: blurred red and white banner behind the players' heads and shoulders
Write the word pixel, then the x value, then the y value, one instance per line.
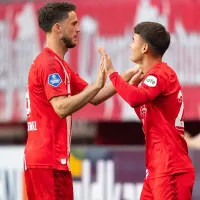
pixel 106 23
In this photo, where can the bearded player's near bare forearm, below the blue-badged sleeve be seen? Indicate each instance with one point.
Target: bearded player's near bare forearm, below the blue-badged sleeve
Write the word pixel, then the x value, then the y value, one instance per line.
pixel 69 105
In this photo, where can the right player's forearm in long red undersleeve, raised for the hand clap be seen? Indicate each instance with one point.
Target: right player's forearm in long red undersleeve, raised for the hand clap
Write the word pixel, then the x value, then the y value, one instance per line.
pixel 130 93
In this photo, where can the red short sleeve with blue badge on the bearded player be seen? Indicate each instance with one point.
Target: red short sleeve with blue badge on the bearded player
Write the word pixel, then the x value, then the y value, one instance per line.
pixel 53 79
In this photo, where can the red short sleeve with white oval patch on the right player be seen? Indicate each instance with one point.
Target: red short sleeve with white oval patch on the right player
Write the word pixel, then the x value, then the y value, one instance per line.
pixel 154 84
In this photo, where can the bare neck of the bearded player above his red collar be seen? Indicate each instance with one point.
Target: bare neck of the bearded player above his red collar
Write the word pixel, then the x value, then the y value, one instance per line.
pixel 56 46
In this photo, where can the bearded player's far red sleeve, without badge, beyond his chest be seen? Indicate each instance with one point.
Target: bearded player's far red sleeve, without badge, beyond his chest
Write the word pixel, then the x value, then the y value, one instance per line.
pixel 77 83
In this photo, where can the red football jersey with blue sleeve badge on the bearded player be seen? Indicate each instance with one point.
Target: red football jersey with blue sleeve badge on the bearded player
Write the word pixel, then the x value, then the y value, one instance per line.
pixel 49 136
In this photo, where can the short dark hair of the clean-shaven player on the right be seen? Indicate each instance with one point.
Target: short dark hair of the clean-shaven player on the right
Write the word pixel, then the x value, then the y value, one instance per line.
pixel 155 35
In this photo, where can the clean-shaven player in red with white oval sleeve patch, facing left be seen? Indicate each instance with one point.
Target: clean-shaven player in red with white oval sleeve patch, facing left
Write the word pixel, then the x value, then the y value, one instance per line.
pixel 155 94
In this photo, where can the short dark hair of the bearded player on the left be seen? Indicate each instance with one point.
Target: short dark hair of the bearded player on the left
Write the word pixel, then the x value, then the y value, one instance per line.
pixel 52 13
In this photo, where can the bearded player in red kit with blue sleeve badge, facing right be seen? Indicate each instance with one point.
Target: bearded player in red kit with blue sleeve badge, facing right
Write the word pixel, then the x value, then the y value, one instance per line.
pixel 55 92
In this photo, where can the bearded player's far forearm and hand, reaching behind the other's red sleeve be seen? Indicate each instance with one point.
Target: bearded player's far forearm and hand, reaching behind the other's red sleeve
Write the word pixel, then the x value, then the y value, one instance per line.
pixel 109 90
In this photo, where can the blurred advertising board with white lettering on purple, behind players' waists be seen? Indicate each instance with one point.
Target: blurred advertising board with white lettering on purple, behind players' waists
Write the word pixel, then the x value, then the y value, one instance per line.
pixel 106 173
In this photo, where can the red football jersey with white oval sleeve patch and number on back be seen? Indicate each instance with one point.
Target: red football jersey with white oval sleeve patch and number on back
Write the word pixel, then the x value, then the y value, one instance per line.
pixel 163 123
